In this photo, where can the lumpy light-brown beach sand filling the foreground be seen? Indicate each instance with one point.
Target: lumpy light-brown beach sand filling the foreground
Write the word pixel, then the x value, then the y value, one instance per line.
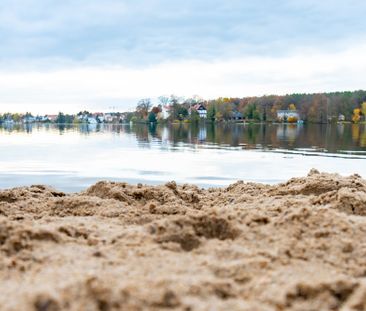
pixel 300 245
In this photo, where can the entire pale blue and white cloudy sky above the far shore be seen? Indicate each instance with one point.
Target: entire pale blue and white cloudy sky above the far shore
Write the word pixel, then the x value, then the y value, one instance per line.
pixel 105 55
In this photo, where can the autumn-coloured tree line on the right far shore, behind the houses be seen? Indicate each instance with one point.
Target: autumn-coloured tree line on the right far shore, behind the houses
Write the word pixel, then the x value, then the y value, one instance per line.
pixel 314 108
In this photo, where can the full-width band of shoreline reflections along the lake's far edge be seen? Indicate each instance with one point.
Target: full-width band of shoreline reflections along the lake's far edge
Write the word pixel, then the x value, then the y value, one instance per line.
pixel 331 138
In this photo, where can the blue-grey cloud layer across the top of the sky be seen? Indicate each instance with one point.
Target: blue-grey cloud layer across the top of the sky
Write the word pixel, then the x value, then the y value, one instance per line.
pixel 141 32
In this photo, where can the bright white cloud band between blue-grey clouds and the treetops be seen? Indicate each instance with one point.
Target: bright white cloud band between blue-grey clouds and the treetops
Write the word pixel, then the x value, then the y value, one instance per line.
pixel 99 88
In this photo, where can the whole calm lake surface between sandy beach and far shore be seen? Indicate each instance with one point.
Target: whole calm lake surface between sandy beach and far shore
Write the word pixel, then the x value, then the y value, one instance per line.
pixel 71 158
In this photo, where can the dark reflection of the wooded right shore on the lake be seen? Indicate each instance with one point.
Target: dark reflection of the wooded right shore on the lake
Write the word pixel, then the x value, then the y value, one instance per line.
pixel 327 138
